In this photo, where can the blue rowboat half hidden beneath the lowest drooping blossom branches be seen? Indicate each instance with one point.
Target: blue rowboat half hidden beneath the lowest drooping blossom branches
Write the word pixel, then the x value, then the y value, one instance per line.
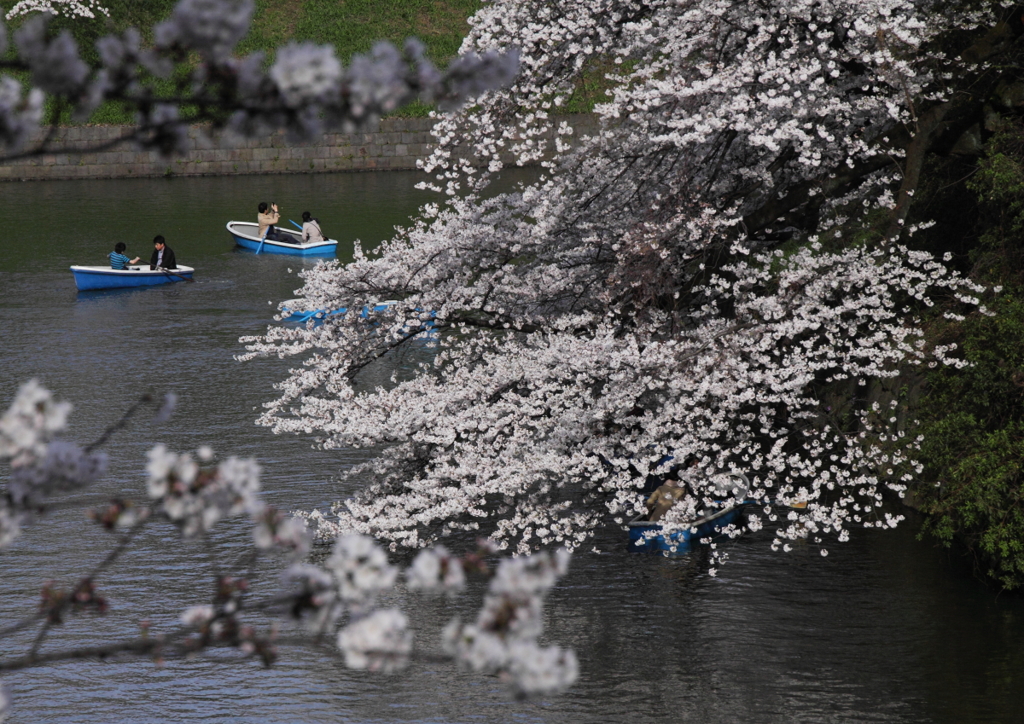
pixel 647 536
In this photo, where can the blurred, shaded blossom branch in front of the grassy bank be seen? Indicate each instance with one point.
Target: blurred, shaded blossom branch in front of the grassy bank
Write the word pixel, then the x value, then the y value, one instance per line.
pixel 305 91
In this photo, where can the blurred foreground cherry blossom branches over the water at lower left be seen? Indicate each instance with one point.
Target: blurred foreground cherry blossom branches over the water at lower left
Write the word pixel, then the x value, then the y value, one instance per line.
pixel 333 606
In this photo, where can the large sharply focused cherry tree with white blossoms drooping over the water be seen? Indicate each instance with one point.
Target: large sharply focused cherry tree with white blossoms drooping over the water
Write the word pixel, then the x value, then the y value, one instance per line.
pixel 686 287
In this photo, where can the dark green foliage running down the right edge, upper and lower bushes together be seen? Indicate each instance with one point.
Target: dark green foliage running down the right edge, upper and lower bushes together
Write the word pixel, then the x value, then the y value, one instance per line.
pixel 974 418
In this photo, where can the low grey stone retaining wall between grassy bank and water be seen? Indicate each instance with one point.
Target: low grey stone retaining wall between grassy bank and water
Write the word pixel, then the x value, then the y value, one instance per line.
pixel 397 144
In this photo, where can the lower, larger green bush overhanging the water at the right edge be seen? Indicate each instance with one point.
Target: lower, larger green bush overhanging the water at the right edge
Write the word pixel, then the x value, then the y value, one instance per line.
pixel 974 444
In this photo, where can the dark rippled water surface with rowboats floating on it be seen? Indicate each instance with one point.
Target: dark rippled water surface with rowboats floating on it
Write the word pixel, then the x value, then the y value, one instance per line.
pixel 886 629
